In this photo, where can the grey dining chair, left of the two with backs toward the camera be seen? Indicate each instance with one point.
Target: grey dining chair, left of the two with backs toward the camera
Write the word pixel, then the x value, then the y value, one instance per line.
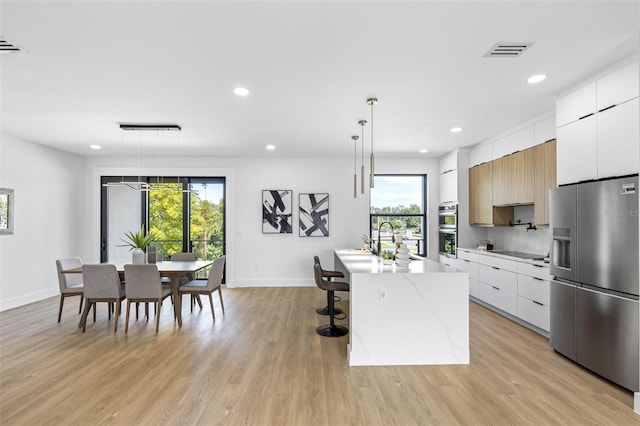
pixel 101 284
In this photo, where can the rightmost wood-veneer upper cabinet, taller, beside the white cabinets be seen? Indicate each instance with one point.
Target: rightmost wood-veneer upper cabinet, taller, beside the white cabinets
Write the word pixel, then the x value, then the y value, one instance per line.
pixel 545 173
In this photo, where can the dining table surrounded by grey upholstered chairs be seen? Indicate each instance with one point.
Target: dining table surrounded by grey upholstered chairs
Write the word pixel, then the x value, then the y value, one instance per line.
pixel 170 269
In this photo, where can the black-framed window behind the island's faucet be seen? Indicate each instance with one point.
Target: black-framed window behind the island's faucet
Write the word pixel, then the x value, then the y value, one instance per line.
pixel 399 200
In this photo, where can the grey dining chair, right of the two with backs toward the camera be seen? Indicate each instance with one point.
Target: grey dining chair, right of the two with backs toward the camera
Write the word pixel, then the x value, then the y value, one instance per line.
pixel 142 284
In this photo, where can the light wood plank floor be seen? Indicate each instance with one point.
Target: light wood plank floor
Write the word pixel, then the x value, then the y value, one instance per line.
pixel 263 364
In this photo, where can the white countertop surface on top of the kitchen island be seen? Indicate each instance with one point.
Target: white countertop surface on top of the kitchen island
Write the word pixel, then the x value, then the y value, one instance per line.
pixel 358 261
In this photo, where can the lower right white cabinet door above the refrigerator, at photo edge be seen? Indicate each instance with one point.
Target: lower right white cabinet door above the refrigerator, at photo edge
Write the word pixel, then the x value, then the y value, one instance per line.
pixel 618 135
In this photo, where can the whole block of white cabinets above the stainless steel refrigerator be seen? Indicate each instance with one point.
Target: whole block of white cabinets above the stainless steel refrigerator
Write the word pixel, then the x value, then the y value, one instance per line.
pixel 598 129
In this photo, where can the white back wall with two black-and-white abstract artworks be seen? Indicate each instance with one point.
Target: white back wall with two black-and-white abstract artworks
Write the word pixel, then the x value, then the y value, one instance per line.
pixel 257 259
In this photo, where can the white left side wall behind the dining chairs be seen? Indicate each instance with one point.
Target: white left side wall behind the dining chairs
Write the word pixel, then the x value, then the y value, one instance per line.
pixel 48 201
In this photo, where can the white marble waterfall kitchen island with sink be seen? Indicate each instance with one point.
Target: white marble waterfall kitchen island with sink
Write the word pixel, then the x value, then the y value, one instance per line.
pixel 417 315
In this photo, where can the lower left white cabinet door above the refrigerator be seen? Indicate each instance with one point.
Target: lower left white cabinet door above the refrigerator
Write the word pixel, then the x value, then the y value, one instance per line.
pixel 577 152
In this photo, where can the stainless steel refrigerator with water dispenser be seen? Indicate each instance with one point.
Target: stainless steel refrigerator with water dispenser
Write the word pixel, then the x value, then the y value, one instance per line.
pixel 594 261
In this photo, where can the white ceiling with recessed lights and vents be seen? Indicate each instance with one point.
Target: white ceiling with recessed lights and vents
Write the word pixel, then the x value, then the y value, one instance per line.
pixel 310 66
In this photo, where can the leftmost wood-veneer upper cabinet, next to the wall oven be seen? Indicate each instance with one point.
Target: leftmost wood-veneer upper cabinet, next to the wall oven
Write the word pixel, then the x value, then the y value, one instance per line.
pixel 481 194
